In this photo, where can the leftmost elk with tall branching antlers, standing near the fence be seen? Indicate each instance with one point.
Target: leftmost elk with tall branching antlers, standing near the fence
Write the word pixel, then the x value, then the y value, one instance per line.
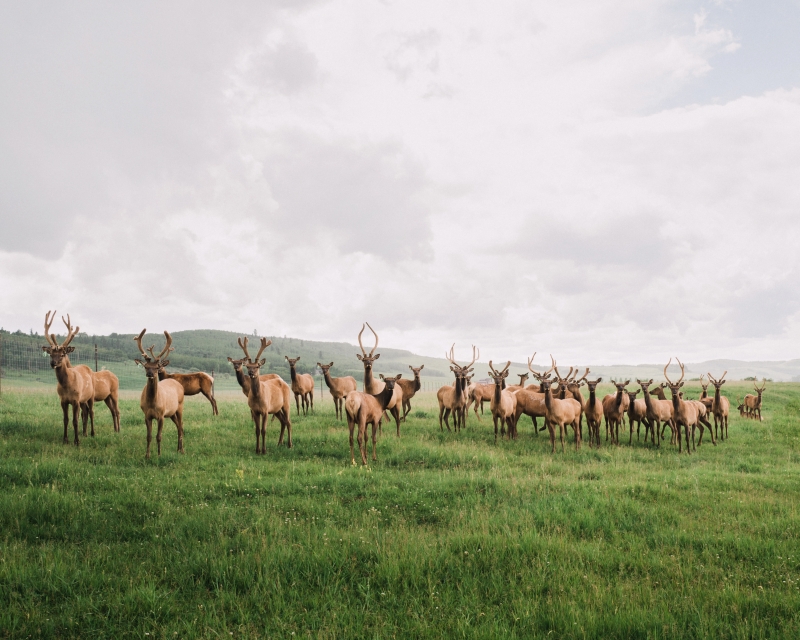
pixel 75 386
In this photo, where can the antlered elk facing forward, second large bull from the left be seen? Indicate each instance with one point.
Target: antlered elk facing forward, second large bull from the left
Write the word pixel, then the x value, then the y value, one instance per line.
pixel 160 399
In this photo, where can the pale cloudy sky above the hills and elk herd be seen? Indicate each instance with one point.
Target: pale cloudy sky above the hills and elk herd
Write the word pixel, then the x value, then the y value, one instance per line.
pixel 613 181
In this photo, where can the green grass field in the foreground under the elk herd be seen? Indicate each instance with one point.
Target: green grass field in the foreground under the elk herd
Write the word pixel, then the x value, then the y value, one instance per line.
pixel 445 536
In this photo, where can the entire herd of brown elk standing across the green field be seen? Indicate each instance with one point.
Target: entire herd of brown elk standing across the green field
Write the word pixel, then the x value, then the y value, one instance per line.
pixel 557 399
